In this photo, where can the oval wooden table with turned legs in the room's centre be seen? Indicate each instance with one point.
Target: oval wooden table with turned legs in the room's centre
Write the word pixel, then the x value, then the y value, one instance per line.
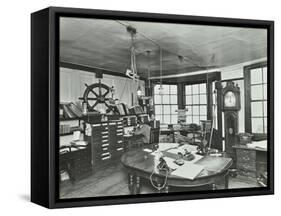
pixel 140 164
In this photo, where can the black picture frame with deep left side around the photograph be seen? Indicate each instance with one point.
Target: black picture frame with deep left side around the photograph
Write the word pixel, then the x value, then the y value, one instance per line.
pixel 45 94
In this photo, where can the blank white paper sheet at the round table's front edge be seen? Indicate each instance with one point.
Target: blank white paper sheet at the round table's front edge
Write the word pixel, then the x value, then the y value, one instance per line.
pixel 188 171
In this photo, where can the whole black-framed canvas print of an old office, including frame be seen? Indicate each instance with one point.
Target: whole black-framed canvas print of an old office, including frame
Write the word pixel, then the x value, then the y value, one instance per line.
pixel 138 107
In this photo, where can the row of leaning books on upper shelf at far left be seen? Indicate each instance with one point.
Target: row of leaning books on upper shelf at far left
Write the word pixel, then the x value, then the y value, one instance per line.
pixel 71 110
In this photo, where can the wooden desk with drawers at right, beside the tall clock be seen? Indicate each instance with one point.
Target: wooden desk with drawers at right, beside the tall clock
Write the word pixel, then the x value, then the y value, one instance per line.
pixel 250 161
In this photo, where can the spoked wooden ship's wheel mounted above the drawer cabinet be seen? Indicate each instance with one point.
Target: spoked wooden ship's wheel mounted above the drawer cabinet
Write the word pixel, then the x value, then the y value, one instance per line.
pixel 97 96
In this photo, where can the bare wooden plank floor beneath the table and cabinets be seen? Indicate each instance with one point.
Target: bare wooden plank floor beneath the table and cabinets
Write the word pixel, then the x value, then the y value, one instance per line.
pixel 112 181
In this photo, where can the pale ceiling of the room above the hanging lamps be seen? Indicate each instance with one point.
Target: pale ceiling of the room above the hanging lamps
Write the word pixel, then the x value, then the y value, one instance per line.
pixel 106 44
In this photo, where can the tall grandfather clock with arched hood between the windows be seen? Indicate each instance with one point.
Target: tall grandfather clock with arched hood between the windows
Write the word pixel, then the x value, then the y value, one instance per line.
pixel 230 105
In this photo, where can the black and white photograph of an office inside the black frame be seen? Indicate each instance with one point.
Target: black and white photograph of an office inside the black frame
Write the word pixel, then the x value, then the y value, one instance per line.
pixel 150 107
